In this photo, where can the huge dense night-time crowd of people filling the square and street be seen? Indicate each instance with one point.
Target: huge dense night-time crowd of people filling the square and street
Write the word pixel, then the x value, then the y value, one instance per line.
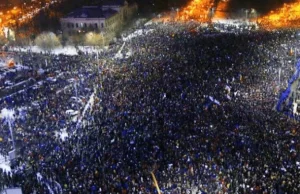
pixel 192 105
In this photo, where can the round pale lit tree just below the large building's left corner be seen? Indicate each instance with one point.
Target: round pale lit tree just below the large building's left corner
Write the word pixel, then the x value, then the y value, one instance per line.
pixel 47 41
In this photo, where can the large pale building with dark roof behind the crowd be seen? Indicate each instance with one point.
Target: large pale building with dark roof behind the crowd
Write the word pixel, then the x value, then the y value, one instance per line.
pixel 106 18
